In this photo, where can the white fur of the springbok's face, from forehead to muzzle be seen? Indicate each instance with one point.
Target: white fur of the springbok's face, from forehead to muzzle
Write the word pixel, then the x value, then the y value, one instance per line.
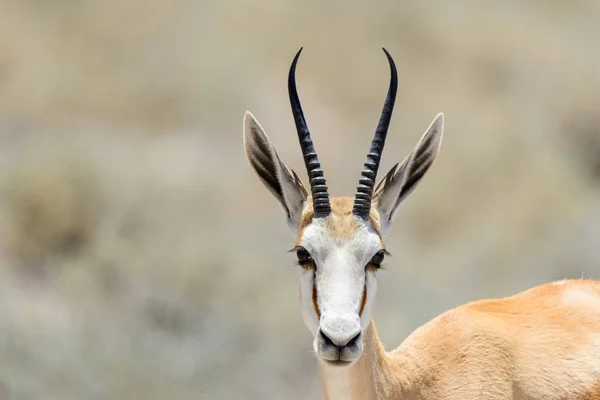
pixel 340 278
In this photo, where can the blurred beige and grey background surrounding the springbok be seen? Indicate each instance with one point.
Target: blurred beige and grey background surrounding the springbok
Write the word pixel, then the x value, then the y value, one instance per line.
pixel 140 257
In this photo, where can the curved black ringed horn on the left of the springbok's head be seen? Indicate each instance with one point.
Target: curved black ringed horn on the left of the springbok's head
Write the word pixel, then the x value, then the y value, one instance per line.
pixel 318 186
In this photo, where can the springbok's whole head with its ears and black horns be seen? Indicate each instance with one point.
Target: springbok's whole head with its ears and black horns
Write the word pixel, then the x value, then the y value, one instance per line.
pixel 339 241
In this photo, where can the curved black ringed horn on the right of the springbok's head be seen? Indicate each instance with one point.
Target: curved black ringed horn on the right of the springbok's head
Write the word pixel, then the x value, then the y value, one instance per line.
pixel 364 191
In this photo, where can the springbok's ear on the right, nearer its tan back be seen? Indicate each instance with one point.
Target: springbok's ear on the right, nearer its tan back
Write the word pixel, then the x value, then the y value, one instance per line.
pixel 402 179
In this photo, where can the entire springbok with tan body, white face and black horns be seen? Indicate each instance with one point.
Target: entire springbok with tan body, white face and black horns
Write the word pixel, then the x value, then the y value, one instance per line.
pixel 543 343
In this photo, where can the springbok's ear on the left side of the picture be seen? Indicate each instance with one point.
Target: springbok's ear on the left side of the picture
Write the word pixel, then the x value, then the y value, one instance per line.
pixel 274 173
